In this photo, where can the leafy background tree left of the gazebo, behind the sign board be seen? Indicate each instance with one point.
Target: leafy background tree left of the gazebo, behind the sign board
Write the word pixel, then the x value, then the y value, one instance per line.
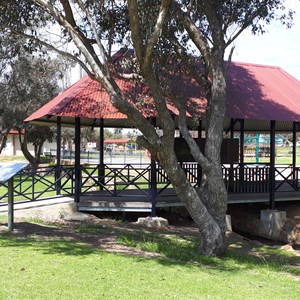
pixel 27 82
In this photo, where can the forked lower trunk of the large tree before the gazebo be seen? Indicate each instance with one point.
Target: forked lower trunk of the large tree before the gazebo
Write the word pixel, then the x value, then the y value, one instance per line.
pixel 208 204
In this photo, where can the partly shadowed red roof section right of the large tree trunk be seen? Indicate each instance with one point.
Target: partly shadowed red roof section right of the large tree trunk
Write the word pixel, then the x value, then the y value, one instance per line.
pixel 262 93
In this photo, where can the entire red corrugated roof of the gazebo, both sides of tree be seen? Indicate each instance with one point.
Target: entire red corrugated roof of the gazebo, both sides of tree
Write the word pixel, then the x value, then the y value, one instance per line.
pixel 255 93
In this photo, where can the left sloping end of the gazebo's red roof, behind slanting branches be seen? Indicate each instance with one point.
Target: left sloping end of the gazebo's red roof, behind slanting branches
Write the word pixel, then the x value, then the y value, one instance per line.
pixel 88 99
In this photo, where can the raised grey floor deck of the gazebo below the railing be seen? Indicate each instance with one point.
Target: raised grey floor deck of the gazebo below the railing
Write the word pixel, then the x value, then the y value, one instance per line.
pixel 132 202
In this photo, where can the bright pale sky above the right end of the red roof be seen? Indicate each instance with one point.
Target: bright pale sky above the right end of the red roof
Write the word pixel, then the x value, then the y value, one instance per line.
pixel 278 46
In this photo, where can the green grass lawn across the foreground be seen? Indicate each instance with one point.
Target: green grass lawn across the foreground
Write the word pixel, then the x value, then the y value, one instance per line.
pixel 54 267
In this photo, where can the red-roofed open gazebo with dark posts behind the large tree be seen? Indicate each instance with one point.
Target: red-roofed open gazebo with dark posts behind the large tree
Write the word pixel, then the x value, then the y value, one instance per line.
pixel 259 99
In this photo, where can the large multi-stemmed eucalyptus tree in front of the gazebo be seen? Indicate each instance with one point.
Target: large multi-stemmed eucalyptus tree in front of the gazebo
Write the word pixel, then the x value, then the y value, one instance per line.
pixel 155 29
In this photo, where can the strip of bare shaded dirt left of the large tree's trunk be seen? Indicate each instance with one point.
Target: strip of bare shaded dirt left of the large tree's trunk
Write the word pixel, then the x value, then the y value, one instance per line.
pixel 105 239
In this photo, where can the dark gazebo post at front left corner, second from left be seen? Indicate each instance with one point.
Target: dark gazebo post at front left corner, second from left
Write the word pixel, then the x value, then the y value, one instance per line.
pixel 77 161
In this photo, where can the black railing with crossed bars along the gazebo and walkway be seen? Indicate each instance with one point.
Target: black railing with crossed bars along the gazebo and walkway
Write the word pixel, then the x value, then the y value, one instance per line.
pixel 137 180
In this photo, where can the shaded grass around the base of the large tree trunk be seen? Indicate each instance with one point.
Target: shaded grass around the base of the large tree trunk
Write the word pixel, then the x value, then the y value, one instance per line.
pixel 184 249
